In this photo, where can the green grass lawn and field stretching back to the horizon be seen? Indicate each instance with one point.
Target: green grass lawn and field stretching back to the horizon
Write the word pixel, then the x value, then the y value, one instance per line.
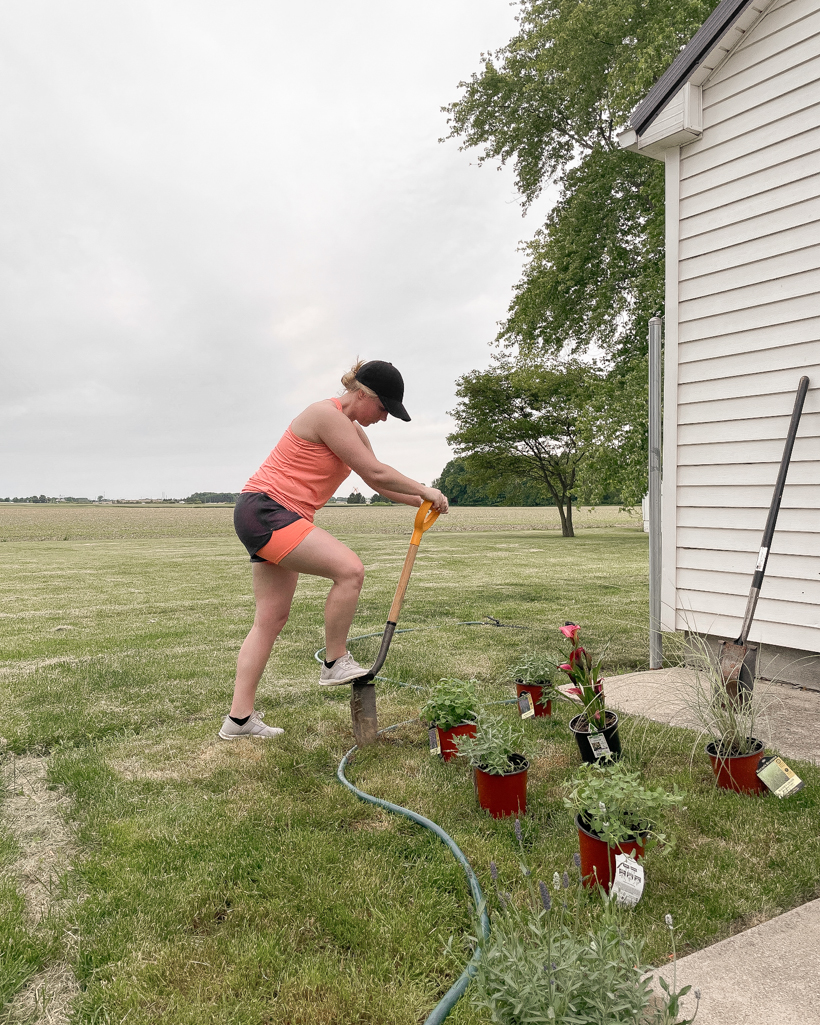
pixel 240 883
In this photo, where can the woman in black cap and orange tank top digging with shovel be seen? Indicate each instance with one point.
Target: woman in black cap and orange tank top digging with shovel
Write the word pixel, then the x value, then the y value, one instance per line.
pixel 274 519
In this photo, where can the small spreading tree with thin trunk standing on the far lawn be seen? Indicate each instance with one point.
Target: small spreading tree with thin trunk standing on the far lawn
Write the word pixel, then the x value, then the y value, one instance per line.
pixel 525 422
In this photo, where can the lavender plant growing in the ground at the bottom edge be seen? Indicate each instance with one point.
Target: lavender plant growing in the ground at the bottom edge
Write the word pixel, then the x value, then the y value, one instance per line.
pixel 560 955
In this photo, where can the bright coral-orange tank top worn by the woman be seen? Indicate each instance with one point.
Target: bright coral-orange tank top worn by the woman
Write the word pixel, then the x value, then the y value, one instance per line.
pixel 300 475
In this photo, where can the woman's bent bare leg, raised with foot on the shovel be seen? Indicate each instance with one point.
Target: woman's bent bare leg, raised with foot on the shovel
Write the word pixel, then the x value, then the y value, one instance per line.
pixel 321 555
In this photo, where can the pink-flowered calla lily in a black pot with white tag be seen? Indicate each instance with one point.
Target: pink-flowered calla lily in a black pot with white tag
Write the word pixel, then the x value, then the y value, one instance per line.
pixel 596 729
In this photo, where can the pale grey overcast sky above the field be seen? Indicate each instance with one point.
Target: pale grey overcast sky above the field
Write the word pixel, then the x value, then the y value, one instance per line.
pixel 209 210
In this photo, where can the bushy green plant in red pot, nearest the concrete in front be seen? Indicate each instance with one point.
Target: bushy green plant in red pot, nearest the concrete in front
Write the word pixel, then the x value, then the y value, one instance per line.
pixel 614 814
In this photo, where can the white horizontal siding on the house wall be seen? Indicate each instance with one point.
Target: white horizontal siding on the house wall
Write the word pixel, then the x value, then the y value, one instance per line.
pixel 748 327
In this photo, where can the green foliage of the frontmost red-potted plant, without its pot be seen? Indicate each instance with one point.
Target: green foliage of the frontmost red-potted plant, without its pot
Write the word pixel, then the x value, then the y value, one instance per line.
pixel 614 804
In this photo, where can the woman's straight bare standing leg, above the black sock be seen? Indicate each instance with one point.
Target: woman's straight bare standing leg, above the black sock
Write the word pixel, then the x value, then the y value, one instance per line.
pixel 273 588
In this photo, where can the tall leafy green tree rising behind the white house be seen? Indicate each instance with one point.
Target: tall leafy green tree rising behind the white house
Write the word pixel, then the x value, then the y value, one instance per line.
pixel 552 103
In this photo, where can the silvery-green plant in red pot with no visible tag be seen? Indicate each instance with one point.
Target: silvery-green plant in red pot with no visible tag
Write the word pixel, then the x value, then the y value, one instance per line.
pixel 500 770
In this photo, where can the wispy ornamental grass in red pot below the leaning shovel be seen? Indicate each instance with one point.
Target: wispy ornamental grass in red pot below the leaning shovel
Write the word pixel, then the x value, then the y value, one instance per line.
pixel 731 720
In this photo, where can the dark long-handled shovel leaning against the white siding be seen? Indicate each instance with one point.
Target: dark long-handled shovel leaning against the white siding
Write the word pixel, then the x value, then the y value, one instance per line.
pixel 736 660
